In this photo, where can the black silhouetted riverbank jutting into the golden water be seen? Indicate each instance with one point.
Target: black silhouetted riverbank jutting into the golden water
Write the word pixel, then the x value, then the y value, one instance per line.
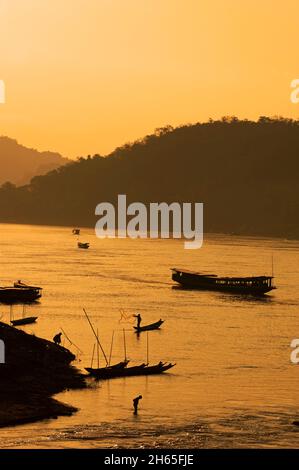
pixel 33 371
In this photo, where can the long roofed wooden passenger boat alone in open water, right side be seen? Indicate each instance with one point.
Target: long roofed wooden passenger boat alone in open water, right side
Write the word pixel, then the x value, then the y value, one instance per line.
pixel 255 285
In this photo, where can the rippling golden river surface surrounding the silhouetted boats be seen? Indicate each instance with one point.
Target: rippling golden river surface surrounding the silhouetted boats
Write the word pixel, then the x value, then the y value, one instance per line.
pixel 234 384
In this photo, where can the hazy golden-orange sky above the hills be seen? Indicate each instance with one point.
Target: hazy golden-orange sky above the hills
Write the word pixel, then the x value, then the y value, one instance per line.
pixel 85 76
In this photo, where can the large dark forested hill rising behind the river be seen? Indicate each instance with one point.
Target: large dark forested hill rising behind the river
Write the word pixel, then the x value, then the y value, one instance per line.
pixel 245 172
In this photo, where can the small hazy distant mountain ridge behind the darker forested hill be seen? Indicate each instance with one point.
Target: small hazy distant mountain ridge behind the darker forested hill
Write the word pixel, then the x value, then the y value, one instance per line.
pixel 18 164
